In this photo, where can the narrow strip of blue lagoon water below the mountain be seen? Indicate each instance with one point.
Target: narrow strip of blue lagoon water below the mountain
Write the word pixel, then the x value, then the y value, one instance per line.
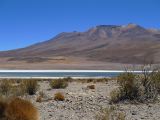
pixel 59 74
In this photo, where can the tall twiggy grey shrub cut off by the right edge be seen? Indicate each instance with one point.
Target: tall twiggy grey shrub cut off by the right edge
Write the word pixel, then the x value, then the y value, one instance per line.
pixel 150 83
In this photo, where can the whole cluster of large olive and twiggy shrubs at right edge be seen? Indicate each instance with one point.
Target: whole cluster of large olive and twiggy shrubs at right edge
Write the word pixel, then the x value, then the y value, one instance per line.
pixel 142 87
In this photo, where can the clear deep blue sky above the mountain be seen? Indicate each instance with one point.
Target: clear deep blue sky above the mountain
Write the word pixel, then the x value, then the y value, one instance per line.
pixel 26 22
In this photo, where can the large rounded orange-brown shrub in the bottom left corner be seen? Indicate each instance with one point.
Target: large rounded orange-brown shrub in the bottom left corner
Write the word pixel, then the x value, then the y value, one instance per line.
pixel 17 109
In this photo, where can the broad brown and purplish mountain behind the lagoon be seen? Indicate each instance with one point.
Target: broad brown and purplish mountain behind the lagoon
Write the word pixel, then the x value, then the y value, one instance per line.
pixel 126 44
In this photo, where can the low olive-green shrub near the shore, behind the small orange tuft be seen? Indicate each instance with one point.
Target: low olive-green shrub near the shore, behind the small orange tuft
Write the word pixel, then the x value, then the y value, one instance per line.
pixel 59 83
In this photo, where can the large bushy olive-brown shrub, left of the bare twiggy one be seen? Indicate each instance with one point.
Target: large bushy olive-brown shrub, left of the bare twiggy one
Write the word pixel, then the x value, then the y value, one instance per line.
pixel 129 88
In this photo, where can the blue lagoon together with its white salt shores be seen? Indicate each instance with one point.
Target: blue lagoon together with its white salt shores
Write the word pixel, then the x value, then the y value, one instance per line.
pixel 60 73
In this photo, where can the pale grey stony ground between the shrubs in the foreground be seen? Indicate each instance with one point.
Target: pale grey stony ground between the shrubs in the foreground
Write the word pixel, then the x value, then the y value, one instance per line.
pixel 82 103
